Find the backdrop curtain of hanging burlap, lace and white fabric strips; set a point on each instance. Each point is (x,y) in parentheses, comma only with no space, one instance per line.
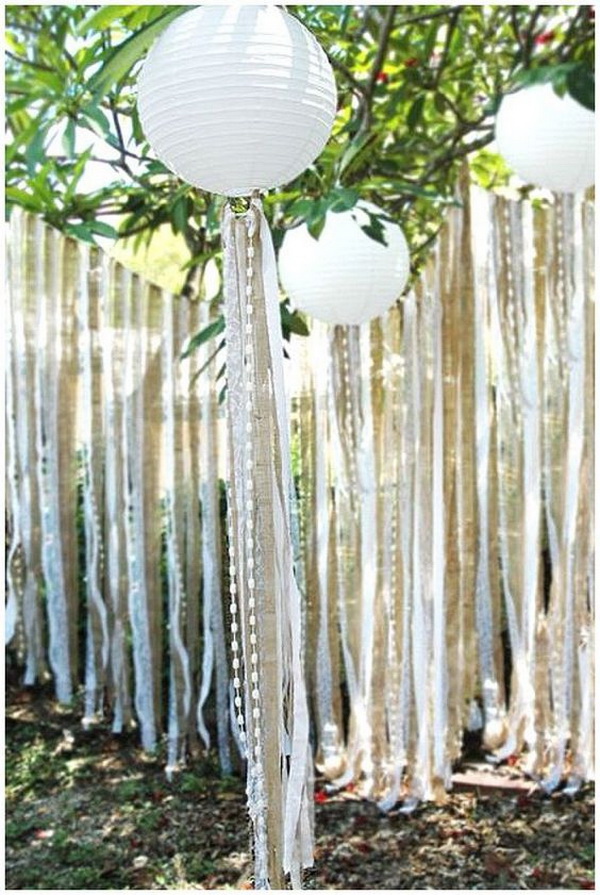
(443,530)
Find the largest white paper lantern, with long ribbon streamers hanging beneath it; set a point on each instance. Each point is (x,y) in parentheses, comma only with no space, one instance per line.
(237,98)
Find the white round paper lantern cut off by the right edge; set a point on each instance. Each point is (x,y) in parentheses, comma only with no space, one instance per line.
(548,140)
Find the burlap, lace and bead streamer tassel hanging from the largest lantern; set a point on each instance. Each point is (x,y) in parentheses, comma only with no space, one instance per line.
(276,710)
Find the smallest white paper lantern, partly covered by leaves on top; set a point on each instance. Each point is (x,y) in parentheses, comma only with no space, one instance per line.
(344,277)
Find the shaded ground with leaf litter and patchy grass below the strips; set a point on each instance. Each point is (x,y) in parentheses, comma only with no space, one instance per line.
(91,810)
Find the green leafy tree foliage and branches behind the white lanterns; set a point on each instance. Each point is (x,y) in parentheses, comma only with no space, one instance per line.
(418,87)
